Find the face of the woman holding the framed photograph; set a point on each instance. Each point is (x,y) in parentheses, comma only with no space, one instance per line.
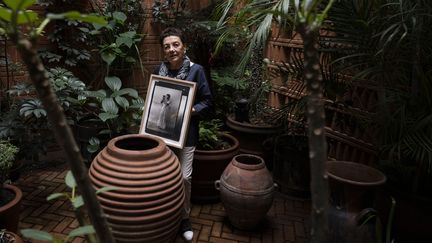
(174,51)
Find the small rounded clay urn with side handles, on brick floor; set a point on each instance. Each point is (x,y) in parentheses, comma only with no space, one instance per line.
(246,189)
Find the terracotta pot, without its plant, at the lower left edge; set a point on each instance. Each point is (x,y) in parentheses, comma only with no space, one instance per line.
(9,212)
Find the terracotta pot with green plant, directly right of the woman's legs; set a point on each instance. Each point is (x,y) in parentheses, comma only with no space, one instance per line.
(214,152)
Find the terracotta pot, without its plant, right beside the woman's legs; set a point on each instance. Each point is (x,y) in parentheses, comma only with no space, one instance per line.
(208,166)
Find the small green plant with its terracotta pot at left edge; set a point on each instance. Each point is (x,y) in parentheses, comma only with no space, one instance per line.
(10,195)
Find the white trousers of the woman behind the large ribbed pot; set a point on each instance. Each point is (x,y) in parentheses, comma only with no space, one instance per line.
(185,157)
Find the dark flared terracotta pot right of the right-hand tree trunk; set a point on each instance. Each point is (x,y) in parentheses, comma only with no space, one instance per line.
(353,192)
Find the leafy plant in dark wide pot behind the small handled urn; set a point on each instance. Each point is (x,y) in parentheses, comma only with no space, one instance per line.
(249,117)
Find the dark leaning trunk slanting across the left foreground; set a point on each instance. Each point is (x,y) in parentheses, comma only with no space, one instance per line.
(64,136)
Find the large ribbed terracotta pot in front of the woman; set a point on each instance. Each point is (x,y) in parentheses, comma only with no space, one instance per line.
(148,201)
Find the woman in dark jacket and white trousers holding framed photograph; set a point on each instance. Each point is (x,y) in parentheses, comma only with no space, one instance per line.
(178,65)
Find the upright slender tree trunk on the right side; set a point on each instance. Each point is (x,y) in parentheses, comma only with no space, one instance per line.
(317,143)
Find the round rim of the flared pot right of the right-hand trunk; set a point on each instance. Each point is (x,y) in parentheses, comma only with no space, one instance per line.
(370,176)
